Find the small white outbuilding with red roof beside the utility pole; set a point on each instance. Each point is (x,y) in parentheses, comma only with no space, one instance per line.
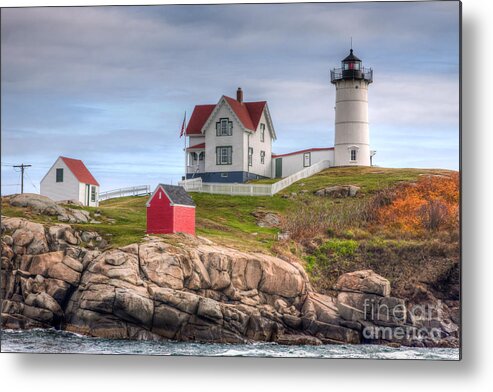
(69,179)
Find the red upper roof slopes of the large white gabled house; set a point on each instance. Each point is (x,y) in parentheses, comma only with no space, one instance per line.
(249,113)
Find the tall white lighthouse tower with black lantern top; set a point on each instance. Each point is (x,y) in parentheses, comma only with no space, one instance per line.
(352,135)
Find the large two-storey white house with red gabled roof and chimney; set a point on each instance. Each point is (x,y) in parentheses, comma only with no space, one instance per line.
(230,141)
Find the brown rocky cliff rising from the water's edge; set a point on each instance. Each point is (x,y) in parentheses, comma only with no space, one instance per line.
(189,289)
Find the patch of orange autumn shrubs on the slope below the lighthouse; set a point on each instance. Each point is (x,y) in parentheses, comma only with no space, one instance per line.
(432,203)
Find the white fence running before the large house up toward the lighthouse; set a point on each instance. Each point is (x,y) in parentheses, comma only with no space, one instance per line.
(196,184)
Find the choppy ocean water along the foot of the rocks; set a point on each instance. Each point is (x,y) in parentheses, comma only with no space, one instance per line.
(51,341)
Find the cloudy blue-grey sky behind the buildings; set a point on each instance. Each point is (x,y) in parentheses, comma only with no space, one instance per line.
(110,85)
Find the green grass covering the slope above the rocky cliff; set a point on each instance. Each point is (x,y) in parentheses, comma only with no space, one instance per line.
(229,220)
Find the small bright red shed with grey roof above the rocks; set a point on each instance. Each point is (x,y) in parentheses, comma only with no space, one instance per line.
(170,209)
